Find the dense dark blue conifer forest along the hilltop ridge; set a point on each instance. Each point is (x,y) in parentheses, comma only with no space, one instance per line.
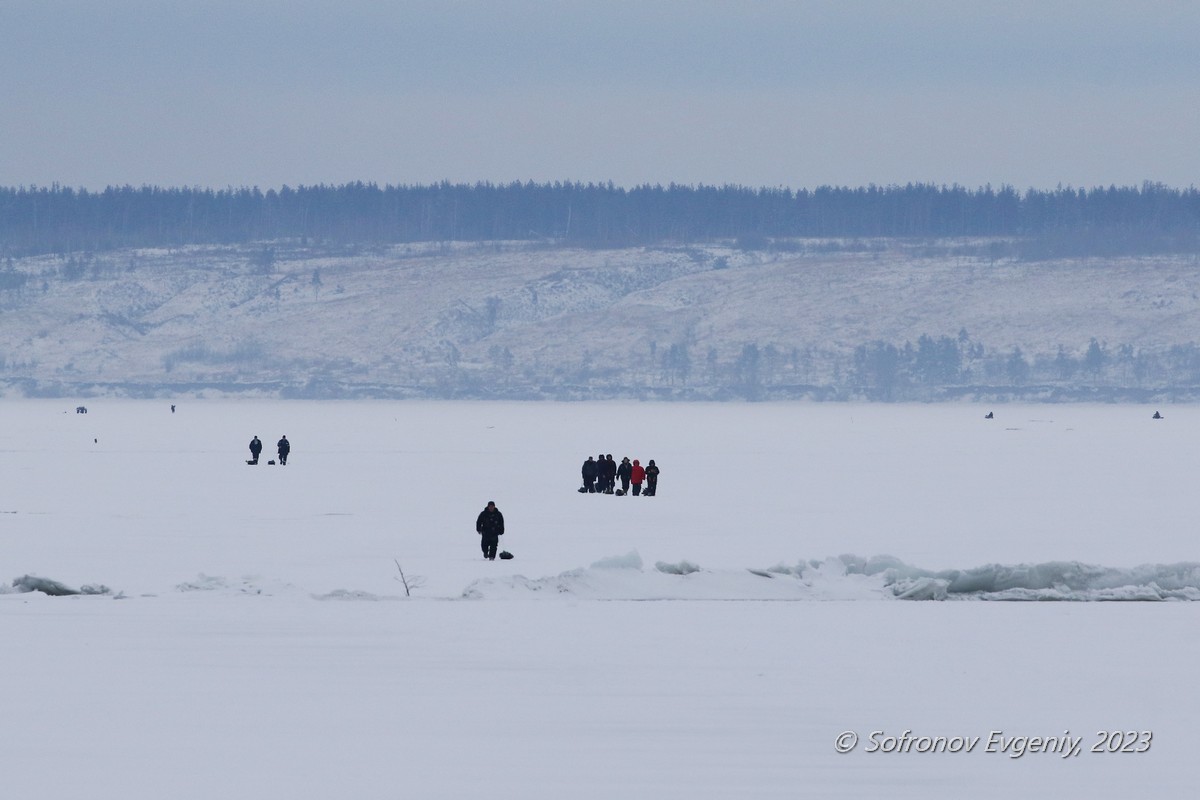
(1153,219)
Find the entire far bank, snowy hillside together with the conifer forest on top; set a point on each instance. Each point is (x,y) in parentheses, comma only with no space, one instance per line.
(537,285)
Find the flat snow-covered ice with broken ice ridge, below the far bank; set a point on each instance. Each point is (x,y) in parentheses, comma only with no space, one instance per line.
(806,573)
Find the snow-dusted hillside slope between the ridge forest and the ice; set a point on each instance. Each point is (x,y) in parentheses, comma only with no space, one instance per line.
(823,320)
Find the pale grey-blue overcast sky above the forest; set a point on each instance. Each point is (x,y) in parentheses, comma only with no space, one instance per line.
(800,94)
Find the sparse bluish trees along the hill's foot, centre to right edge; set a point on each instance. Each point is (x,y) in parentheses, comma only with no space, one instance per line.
(932,369)
